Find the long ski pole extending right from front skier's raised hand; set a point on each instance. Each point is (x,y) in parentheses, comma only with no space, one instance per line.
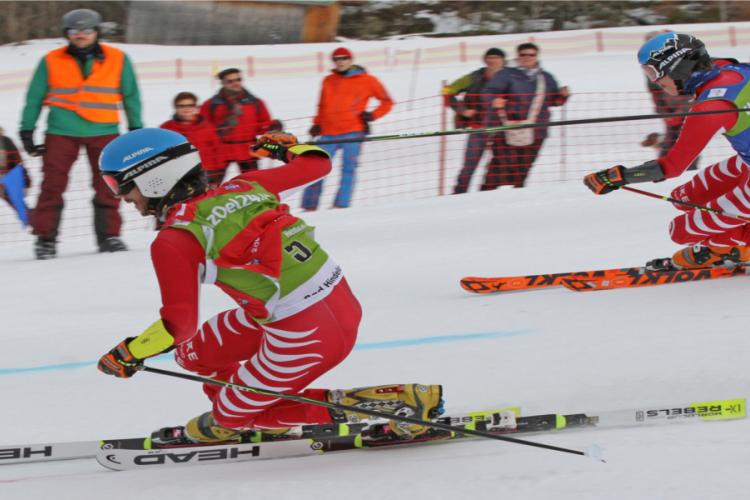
(437,133)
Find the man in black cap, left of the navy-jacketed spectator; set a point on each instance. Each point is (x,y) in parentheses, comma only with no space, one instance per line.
(470,111)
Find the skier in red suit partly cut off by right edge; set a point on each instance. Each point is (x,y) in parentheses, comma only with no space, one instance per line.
(680,64)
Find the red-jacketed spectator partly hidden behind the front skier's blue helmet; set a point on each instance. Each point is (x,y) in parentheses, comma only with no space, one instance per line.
(198,131)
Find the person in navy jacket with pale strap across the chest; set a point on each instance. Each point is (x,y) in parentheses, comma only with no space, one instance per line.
(523,96)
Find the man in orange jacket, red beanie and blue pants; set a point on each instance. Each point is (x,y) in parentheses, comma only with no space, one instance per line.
(343,114)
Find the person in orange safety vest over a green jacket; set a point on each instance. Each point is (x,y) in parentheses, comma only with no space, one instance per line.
(85,84)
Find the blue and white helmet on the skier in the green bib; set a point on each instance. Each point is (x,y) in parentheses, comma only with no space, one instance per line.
(154,159)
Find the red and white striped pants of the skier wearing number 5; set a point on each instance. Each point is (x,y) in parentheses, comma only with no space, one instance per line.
(283,356)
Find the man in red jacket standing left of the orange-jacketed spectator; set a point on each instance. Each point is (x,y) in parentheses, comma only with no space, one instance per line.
(239,118)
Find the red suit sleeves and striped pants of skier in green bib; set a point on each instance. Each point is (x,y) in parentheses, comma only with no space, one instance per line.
(284,355)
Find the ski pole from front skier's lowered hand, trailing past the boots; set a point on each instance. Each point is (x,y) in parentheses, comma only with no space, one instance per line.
(367,411)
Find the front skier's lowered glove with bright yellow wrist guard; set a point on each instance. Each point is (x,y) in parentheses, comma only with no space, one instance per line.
(127,357)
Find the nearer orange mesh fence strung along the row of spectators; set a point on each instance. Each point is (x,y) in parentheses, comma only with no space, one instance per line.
(402,170)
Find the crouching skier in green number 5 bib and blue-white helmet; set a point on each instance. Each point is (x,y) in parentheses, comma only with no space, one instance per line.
(296,317)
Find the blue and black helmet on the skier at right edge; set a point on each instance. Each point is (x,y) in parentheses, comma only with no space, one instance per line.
(676,55)
